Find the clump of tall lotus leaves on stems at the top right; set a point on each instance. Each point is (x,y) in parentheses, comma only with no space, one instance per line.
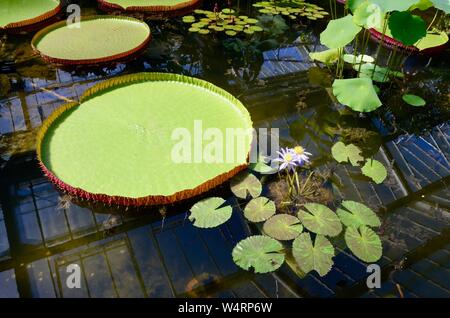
(392,19)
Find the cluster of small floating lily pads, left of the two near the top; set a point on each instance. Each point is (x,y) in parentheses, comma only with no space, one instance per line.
(224,21)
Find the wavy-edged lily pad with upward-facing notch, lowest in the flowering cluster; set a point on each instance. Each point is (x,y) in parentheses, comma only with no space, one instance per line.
(309,256)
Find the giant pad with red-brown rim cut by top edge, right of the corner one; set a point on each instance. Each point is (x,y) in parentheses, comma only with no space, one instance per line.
(166,7)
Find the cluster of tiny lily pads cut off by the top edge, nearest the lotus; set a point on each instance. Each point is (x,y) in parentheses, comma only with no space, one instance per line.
(292,9)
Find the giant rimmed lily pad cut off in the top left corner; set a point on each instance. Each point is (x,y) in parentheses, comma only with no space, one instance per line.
(16,14)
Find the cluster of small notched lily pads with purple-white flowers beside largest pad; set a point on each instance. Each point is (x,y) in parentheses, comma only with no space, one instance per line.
(310,227)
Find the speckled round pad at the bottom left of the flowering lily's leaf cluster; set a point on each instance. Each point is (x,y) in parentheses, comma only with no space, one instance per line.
(261,252)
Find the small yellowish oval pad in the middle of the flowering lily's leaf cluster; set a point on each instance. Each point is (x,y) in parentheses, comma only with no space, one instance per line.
(283,227)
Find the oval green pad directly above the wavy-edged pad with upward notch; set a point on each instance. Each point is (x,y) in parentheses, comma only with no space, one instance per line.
(319,219)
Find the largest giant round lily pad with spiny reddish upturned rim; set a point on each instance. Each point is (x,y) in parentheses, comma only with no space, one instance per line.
(131,140)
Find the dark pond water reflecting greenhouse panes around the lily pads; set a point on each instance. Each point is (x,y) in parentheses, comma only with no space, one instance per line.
(157,252)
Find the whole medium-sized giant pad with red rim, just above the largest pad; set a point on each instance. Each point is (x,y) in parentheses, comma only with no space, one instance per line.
(97,39)
